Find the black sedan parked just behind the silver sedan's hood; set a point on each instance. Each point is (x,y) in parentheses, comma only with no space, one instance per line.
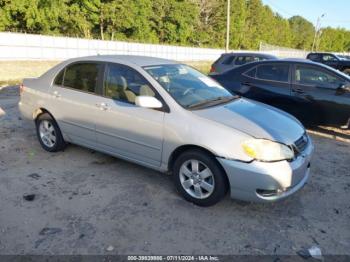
(314,93)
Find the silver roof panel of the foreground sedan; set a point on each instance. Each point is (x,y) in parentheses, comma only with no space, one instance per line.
(126,59)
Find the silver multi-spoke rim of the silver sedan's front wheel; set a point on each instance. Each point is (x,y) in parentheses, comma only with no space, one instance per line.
(197,179)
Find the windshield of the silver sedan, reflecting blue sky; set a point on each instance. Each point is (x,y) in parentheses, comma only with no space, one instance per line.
(190,88)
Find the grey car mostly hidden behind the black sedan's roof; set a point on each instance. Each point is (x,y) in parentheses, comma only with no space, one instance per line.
(229,61)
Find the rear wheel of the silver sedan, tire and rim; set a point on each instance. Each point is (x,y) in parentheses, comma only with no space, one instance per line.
(49,134)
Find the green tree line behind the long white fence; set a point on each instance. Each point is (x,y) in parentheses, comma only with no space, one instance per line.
(199,23)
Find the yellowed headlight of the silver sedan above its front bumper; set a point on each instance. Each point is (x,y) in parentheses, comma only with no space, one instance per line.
(266,150)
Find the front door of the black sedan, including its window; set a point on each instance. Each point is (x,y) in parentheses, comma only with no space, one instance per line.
(318,95)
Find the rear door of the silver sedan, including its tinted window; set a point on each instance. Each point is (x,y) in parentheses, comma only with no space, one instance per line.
(73,101)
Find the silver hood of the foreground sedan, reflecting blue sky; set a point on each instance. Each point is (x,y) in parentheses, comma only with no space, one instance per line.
(256,119)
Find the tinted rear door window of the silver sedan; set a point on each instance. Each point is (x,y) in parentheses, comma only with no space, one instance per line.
(82,76)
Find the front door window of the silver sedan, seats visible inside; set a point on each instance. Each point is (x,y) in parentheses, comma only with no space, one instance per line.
(125,84)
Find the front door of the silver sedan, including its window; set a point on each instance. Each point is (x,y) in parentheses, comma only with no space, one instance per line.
(122,128)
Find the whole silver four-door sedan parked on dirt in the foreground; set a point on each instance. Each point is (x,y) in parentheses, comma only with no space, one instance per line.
(170,117)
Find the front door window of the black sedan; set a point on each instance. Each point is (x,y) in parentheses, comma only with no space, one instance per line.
(311,76)
